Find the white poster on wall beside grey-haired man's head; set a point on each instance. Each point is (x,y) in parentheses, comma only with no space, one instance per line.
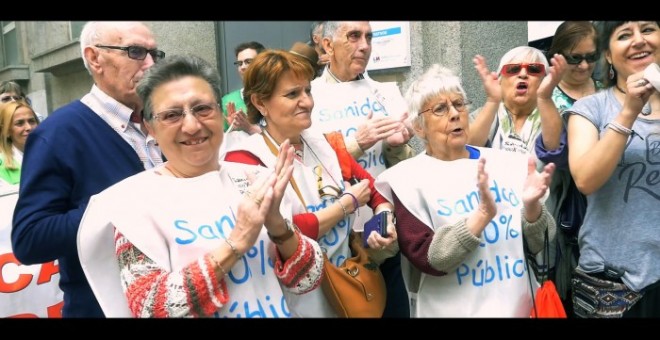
(390,45)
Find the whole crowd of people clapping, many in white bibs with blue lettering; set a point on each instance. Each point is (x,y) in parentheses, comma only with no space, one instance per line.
(231,205)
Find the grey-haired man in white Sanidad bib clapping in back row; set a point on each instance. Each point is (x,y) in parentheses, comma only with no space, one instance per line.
(377,138)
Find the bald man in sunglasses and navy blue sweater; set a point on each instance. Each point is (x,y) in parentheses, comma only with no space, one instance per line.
(81,149)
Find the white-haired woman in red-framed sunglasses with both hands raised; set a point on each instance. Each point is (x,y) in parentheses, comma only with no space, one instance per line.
(518,105)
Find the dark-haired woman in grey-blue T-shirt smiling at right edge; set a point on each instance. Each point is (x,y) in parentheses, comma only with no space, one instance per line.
(614,160)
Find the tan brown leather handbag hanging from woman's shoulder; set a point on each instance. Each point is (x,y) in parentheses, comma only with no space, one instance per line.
(356,289)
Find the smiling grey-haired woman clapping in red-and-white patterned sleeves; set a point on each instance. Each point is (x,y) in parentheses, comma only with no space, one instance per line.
(195,237)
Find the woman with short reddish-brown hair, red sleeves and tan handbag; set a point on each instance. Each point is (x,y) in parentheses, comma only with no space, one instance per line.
(279,91)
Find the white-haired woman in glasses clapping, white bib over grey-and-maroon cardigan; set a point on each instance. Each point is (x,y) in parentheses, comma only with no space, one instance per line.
(462,235)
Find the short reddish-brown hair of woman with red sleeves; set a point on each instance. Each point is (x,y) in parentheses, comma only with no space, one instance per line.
(265,70)
